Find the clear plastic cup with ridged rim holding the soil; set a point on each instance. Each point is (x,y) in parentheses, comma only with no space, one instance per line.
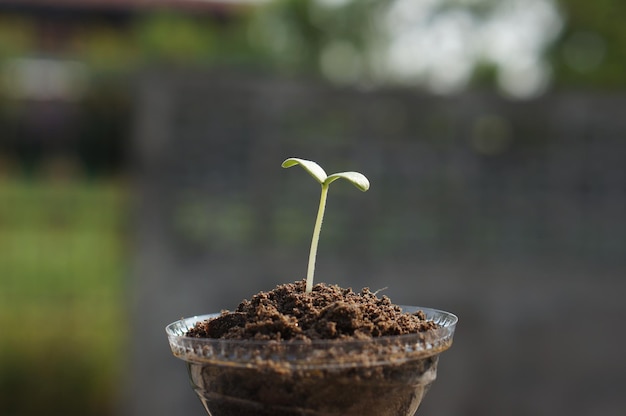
(385,376)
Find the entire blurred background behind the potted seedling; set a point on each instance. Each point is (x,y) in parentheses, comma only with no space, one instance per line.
(140,182)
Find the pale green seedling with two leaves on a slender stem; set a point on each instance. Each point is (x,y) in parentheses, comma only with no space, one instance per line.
(315,170)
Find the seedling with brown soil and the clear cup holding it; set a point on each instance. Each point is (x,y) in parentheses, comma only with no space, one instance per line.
(305,349)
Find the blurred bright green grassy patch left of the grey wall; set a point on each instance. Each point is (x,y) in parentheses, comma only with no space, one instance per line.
(63,285)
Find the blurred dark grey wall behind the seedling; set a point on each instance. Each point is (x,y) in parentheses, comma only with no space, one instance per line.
(511,214)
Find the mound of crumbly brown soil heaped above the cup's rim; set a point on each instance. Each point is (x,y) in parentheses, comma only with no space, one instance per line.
(328,312)
